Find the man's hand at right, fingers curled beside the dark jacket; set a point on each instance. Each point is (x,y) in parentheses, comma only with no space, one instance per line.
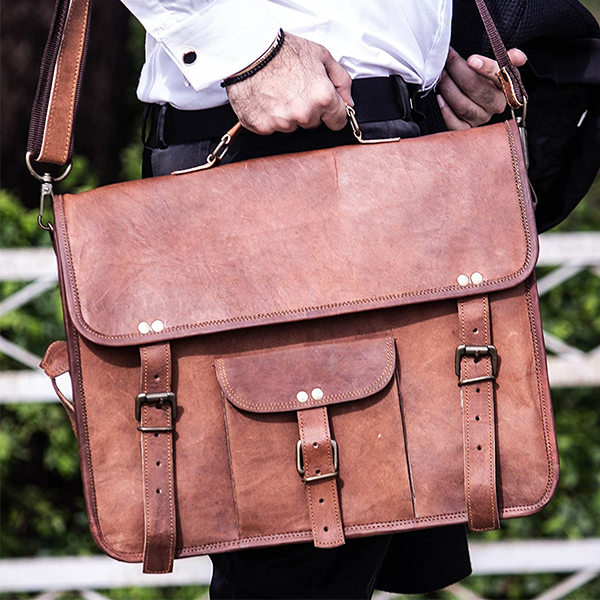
(469,92)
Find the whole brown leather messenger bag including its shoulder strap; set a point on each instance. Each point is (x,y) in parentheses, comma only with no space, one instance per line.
(315,346)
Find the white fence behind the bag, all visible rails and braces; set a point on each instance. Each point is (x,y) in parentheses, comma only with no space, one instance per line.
(569,367)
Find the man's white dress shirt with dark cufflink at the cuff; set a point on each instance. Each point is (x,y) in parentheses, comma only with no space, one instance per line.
(369,38)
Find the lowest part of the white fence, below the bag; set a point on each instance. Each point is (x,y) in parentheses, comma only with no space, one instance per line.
(580,558)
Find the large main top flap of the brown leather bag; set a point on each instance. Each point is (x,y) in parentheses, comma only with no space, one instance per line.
(298,236)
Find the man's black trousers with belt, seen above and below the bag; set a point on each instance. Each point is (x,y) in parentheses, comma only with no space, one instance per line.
(411,562)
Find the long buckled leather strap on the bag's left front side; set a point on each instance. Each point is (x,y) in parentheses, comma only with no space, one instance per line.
(158,460)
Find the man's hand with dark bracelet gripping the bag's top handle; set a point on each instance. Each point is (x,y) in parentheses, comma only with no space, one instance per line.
(301,87)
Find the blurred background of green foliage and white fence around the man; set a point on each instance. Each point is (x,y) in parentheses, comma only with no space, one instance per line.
(43,512)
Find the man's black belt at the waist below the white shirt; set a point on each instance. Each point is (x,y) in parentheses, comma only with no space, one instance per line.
(375,99)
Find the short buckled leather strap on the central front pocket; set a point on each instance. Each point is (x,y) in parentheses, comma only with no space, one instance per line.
(321,483)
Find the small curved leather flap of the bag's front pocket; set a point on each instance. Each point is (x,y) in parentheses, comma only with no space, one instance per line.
(299,377)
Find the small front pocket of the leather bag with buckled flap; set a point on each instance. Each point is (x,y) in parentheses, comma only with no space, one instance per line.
(316,425)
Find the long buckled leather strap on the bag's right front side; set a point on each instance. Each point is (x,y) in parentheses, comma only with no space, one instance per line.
(475,371)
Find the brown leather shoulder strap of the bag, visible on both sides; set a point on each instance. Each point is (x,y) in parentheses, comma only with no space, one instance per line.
(55,104)
